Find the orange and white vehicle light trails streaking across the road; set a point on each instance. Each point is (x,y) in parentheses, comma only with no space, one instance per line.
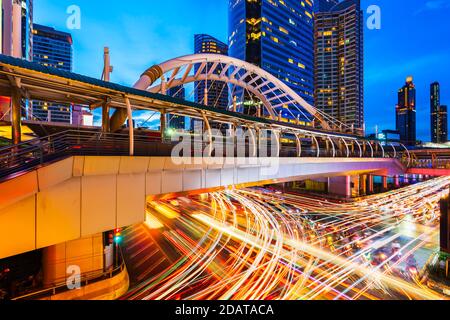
(255,244)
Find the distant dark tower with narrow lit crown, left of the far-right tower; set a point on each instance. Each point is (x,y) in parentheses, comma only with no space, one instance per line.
(406,112)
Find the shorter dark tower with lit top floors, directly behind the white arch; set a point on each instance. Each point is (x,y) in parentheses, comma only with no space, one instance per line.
(217,91)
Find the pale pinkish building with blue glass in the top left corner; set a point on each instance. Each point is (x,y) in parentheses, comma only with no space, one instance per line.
(16,28)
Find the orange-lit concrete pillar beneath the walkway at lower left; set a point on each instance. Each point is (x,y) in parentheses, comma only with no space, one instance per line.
(60,261)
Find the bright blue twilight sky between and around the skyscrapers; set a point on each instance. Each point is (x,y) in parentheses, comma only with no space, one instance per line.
(413,40)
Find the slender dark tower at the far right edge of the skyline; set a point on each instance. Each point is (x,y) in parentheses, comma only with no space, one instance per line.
(438,113)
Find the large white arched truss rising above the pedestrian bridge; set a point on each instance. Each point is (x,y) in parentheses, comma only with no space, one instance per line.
(239,76)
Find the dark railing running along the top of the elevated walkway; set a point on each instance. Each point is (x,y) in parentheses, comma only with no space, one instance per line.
(23,157)
